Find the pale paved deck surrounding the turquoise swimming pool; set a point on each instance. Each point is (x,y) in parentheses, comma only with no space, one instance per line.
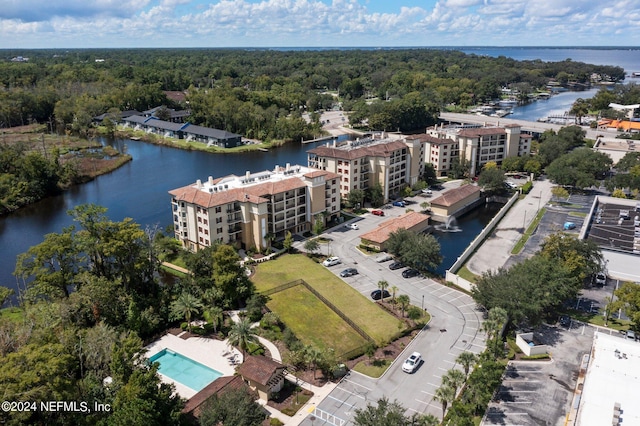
(210,352)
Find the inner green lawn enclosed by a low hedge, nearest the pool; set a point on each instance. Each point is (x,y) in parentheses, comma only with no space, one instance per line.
(313,322)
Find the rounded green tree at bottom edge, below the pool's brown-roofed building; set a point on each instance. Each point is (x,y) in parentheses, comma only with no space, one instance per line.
(232,408)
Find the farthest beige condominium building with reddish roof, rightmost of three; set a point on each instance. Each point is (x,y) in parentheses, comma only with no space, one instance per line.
(478,145)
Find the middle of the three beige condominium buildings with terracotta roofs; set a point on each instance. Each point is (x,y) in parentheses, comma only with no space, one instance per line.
(365,162)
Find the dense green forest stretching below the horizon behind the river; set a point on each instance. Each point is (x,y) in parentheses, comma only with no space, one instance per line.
(263,93)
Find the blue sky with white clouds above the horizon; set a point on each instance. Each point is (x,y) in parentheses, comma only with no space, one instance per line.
(317,23)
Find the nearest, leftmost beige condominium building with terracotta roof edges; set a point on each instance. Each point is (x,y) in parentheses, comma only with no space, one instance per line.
(249,211)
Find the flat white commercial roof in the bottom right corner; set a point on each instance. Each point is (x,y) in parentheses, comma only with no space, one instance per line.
(612,379)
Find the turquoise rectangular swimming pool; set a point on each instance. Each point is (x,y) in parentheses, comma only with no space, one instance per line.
(184,370)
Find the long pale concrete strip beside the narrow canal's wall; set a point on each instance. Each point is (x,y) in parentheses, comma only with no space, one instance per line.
(494,252)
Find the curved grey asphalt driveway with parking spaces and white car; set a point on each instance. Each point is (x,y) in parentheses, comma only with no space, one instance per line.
(454,328)
